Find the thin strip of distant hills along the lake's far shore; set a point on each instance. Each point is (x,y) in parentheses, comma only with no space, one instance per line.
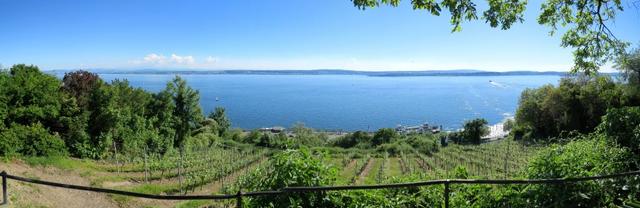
(460,72)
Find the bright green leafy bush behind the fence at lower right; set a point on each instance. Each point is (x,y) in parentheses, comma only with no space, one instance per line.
(589,156)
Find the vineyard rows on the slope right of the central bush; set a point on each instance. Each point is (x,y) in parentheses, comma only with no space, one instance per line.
(492,160)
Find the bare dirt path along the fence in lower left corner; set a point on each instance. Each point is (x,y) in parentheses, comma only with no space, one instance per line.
(32,195)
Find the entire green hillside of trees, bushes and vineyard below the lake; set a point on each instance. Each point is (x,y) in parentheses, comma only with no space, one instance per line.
(110,134)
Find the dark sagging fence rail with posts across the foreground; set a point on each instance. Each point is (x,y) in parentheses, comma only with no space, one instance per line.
(287,190)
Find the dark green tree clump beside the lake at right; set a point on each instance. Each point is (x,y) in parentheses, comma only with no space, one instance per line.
(577,104)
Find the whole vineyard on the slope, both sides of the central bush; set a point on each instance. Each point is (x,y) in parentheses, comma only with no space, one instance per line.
(219,169)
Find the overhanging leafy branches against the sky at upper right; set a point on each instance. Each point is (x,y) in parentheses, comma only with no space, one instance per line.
(593,43)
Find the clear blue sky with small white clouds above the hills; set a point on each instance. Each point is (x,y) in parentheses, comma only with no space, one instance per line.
(278,34)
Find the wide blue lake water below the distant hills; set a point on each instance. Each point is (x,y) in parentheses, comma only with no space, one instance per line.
(352,102)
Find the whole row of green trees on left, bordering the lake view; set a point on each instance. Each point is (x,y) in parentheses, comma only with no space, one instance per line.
(93,118)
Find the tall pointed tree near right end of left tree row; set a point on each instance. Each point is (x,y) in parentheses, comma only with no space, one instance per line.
(187,109)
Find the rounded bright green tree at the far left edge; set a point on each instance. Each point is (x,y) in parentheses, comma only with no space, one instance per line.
(31,107)
